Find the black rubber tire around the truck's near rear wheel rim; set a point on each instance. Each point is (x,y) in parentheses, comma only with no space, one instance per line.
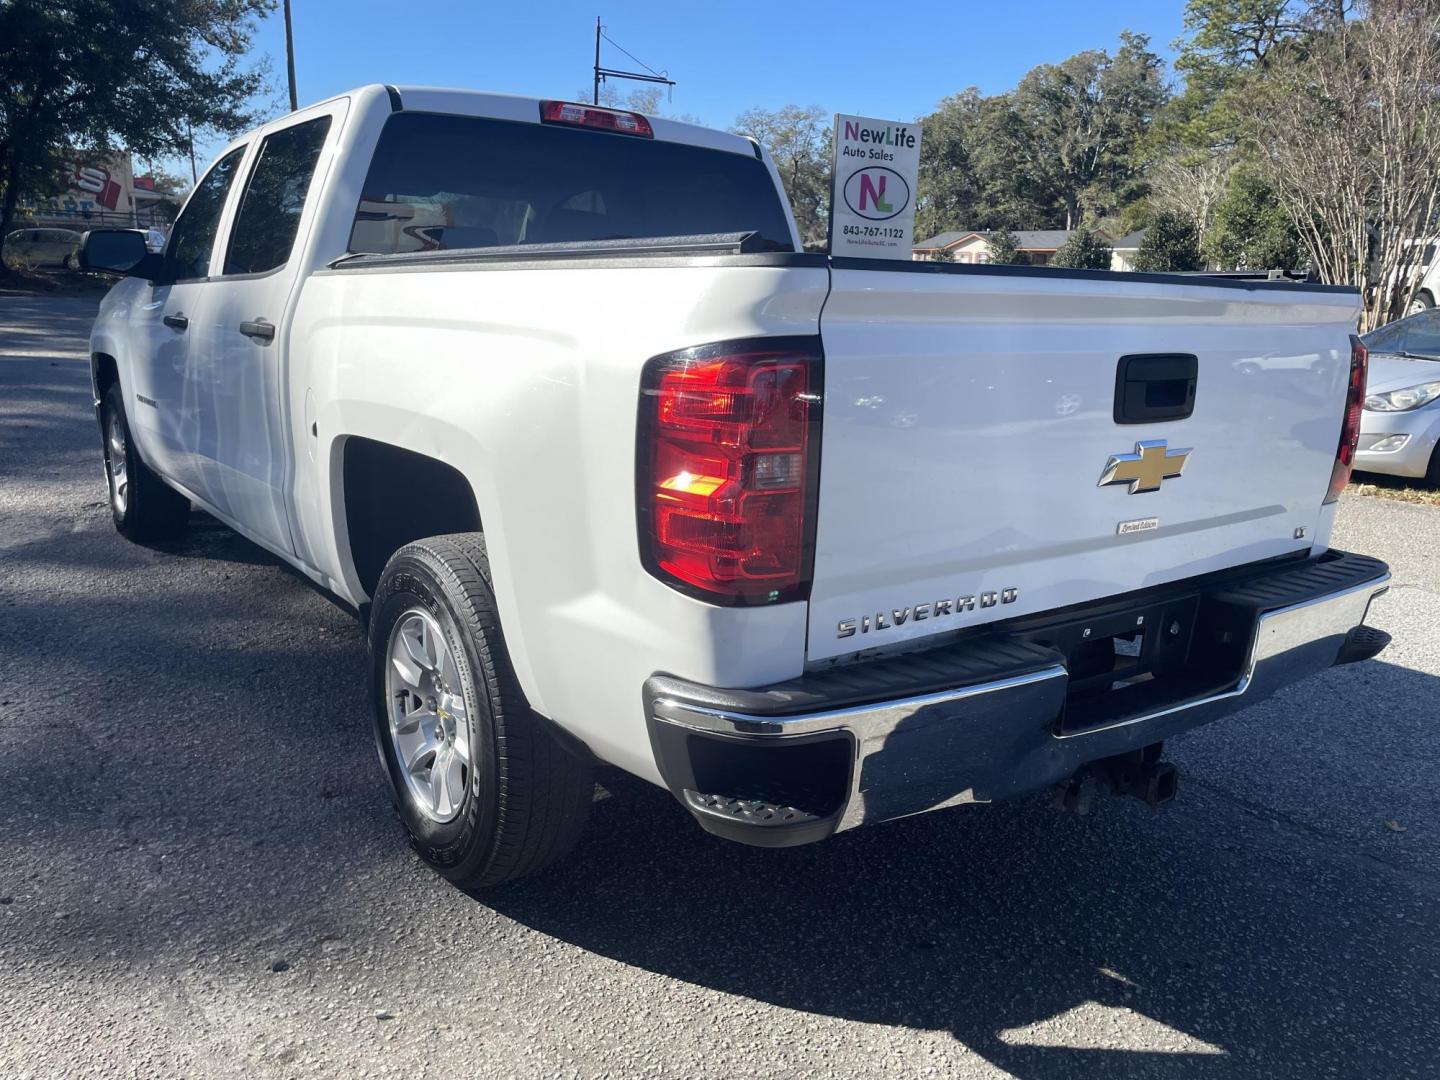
(526,796)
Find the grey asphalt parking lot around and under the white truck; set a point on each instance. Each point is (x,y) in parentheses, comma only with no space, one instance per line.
(201,873)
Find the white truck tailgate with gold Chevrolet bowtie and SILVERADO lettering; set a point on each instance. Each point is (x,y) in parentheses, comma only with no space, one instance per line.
(970,418)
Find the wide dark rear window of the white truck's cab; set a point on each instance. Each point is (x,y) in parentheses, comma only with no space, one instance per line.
(444,182)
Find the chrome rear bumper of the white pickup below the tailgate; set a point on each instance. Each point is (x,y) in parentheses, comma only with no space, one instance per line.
(978,741)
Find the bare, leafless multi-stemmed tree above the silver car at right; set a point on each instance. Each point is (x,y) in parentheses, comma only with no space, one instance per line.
(1349,125)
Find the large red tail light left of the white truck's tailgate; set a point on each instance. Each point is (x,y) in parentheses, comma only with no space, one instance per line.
(729,467)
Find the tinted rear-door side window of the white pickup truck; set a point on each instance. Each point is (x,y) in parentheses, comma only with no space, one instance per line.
(269,221)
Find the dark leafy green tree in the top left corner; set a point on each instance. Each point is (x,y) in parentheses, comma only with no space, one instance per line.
(93,77)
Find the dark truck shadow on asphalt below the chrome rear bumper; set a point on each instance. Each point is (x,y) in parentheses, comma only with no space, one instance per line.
(1254,953)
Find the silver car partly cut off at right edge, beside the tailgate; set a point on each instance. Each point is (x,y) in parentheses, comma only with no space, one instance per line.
(1402,421)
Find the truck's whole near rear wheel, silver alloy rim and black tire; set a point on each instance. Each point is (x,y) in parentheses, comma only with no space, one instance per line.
(485,788)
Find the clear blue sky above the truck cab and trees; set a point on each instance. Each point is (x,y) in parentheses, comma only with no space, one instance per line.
(725,57)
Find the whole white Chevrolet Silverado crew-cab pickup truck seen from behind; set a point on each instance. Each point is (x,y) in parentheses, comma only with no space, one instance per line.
(616,473)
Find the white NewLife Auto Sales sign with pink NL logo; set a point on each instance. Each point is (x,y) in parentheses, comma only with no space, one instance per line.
(872,208)
